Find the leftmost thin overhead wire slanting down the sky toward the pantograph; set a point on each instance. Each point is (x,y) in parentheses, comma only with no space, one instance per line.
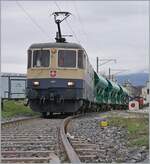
(32,19)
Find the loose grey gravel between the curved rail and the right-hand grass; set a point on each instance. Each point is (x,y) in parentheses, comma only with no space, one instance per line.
(112,141)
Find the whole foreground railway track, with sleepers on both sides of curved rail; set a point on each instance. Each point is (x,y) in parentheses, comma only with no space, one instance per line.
(44,140)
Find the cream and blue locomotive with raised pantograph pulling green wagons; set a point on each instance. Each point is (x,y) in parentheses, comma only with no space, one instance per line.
(60,78)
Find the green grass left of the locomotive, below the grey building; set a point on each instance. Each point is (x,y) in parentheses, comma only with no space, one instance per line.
(15,109)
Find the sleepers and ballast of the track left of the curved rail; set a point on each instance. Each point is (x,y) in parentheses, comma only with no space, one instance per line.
(33,140)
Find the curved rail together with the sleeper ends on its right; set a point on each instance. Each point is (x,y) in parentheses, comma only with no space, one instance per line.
(79,150)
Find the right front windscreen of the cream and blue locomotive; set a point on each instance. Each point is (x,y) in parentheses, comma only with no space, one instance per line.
(67,58)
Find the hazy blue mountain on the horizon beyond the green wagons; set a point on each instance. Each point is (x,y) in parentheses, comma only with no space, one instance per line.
(137,79)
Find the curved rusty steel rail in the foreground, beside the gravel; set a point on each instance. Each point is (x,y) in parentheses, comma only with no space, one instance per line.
(73,158)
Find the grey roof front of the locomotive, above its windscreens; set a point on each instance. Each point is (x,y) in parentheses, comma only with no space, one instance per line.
(56,45)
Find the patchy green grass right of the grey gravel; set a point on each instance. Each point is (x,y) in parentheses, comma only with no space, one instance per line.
(138,129)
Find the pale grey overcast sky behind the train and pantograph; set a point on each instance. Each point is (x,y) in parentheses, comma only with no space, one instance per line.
(109,30)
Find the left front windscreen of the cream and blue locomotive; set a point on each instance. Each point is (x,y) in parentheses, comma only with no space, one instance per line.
(41,58)
